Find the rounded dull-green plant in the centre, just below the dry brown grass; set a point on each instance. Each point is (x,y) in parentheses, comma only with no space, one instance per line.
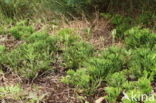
(76,54)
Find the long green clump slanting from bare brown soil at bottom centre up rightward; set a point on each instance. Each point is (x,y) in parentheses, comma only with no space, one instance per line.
(97,69)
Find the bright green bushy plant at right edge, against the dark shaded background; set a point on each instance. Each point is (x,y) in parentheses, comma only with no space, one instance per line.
(137,37)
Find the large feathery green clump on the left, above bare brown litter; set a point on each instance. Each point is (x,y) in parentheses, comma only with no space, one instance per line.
(32,57)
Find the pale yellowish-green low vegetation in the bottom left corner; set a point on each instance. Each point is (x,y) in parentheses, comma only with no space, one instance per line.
(16,93)
